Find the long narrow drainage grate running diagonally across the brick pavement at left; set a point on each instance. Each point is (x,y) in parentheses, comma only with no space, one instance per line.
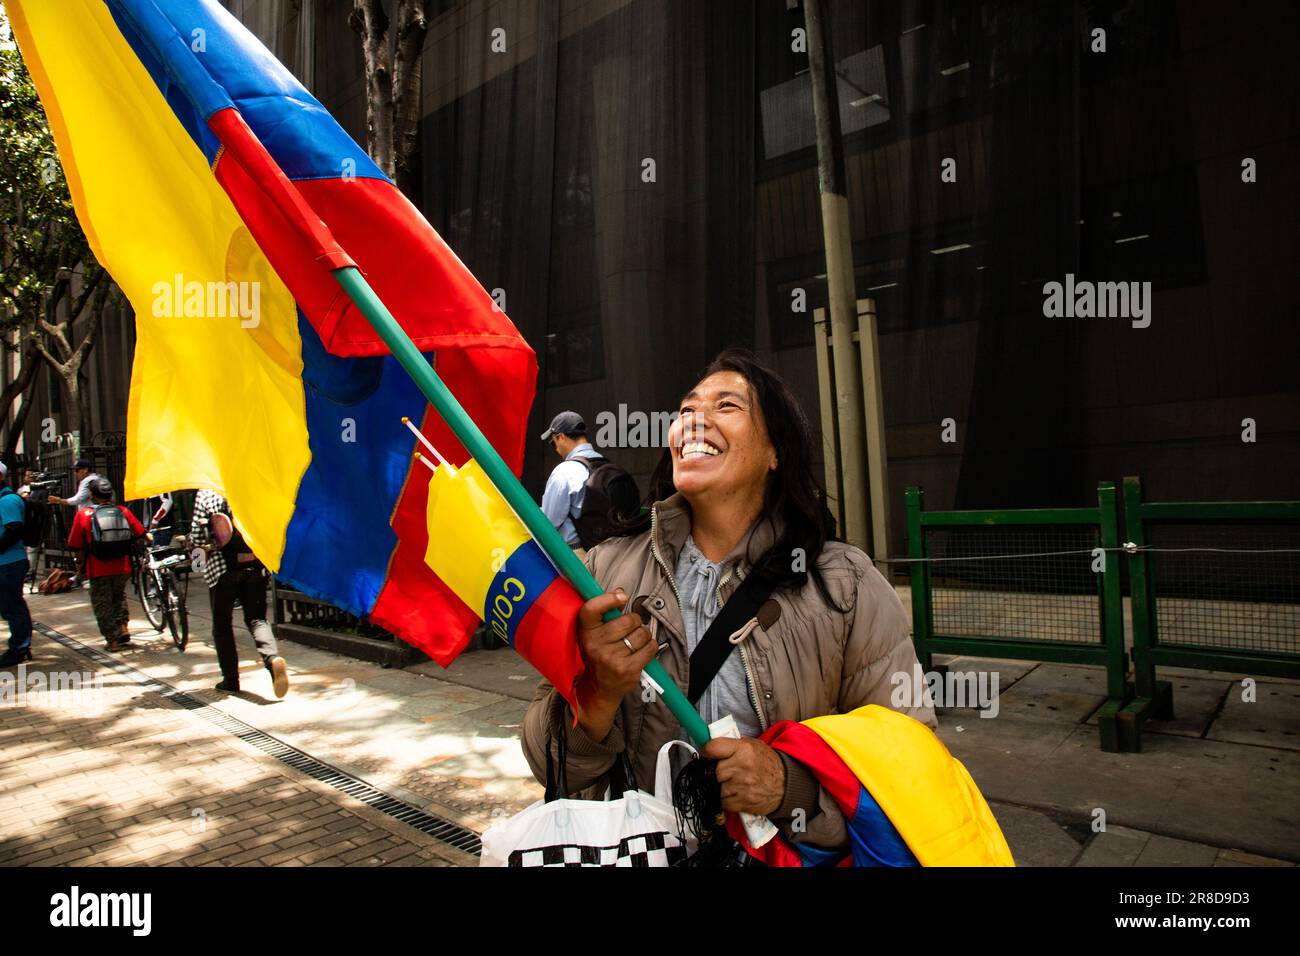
(376,799)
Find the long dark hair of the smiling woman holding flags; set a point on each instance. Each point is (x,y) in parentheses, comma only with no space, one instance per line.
(794,500)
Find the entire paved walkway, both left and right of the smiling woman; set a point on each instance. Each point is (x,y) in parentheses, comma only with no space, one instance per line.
(135,777)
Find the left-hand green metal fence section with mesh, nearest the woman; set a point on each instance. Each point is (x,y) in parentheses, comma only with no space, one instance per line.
(1039,585)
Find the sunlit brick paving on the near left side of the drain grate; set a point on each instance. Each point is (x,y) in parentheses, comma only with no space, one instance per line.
(110,772)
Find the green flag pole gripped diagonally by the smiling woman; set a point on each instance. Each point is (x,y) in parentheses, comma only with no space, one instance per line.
(538,524)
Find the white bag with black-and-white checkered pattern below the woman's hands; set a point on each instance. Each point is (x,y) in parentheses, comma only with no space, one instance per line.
(639,829)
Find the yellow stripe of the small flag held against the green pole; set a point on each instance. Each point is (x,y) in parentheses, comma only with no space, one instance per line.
(473,531)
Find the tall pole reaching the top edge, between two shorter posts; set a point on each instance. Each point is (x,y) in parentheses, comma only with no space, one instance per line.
(839,272)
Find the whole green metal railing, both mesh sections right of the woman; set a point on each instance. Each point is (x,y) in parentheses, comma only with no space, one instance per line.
(1215,586)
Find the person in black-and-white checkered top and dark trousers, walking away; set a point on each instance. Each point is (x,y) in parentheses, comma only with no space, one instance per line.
(233,573)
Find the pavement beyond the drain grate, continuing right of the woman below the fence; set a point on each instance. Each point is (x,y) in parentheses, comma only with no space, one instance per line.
(1219,786)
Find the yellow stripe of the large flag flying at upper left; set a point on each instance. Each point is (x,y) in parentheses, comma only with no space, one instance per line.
(216,403)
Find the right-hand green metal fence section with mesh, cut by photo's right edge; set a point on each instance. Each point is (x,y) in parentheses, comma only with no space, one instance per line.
(1215,586)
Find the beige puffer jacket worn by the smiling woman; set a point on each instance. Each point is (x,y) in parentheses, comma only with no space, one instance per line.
(809,661)
